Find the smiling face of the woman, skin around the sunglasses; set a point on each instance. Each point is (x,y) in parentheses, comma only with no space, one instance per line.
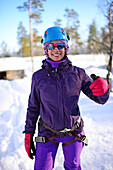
(56,54)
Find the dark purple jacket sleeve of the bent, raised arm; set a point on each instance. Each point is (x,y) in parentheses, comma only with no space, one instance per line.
(86,82)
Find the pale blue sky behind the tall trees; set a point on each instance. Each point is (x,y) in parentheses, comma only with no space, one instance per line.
(10,17)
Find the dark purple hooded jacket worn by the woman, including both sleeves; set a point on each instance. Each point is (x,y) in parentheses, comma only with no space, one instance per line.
(54,96)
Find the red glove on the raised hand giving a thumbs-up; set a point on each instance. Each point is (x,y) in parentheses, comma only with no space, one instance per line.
(99,87)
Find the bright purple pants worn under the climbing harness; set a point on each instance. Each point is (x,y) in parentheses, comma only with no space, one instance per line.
(46,152)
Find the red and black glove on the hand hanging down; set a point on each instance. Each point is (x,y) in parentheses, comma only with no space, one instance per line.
(29,145)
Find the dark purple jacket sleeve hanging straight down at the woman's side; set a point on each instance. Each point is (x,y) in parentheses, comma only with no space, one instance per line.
(33,108)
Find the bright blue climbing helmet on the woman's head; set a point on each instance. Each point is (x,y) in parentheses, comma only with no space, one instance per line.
(54,33)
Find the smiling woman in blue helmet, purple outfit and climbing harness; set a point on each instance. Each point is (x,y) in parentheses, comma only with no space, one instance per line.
(54,96)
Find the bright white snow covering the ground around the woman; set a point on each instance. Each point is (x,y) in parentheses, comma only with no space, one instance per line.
(13,104)
